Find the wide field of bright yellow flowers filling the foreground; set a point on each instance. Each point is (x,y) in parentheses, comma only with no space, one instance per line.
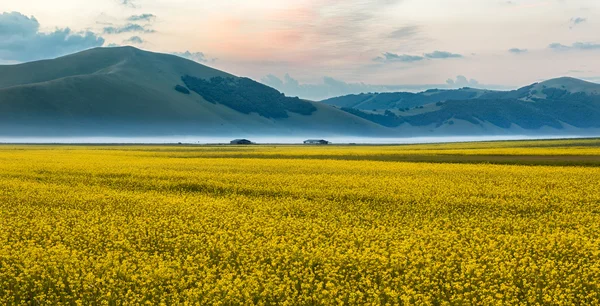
(292,225)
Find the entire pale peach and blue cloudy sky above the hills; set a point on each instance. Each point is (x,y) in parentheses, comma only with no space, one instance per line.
(322,48)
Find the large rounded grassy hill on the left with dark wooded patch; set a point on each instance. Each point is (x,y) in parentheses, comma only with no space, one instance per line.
(129,92)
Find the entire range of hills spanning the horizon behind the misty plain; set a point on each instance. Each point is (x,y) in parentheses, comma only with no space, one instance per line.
(129,92)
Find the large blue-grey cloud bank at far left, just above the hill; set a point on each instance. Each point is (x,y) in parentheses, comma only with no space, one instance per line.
(21,39)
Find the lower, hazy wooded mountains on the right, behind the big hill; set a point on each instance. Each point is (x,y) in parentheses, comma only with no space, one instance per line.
(557,106)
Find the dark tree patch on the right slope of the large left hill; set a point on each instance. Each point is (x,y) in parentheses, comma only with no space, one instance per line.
(248,96)
